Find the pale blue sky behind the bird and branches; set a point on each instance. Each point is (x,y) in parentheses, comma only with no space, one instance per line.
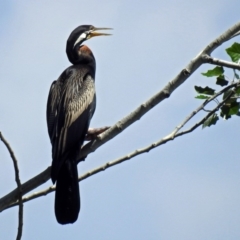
(188,189)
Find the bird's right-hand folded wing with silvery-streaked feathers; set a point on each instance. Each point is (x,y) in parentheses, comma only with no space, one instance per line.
(75,110)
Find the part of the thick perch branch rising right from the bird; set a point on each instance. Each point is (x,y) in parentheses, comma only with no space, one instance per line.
(160,96)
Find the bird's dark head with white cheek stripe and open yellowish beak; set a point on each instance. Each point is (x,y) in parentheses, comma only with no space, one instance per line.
(78,36)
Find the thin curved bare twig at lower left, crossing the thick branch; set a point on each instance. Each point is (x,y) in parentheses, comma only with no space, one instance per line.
(19,187)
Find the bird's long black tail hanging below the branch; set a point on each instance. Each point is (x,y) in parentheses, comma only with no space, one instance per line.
(67,198)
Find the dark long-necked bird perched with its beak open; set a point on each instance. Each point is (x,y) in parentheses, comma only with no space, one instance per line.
(70,106)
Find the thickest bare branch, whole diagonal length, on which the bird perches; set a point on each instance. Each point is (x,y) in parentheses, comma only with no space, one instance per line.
(90,147)
